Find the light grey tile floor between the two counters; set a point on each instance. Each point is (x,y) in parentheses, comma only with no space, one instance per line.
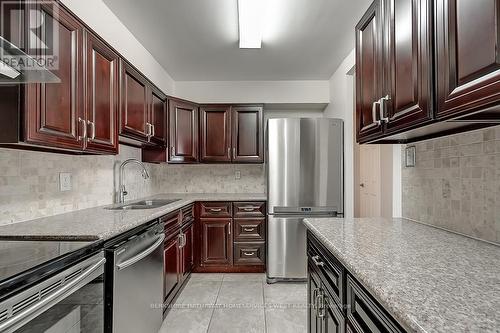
(238,303)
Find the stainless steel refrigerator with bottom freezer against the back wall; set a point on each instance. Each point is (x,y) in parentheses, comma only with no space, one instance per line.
(305,179)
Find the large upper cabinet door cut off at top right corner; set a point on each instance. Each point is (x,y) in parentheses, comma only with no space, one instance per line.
(468,55)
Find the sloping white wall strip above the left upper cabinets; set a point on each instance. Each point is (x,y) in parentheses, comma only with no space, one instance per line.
(105,23)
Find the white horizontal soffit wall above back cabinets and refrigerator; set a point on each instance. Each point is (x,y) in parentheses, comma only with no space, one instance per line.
(254,91)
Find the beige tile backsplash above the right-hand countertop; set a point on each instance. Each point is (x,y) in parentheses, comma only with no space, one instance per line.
(456,183)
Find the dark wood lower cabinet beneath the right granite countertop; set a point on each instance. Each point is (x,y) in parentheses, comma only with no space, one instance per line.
(354,311)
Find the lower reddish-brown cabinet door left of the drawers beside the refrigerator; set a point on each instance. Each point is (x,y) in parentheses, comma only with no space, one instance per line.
(217,243)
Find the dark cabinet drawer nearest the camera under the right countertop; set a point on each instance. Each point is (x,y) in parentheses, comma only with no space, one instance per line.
(363,312)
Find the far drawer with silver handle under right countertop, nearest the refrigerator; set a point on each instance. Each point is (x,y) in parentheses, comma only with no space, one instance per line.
(329,269)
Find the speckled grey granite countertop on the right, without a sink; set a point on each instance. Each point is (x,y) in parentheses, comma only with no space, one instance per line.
(429,279)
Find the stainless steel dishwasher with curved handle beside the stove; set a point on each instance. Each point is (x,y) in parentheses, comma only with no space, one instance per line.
(137,276)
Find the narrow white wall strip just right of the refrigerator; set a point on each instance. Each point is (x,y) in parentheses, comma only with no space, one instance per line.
(342,106)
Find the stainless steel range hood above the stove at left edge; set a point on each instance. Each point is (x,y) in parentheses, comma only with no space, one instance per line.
(18,67)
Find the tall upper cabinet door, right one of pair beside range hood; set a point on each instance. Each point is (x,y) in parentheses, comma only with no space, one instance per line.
(101,103)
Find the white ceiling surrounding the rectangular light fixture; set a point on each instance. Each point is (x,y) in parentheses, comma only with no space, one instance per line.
(197,40)
